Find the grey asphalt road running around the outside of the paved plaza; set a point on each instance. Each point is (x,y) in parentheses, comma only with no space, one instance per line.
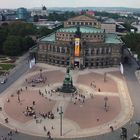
(134,89)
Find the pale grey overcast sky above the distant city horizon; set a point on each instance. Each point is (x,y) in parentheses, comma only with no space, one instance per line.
(69,3)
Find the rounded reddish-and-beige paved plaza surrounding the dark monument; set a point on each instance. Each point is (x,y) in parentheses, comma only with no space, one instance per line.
(32,104)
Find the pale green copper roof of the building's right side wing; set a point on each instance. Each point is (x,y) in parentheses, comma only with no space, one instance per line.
(112,38)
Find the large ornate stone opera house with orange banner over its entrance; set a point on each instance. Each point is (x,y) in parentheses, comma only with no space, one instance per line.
(82,44)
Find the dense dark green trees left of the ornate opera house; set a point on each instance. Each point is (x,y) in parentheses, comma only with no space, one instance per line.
(16,38)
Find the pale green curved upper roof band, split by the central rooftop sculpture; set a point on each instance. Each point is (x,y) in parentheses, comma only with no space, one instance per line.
(83,29)
